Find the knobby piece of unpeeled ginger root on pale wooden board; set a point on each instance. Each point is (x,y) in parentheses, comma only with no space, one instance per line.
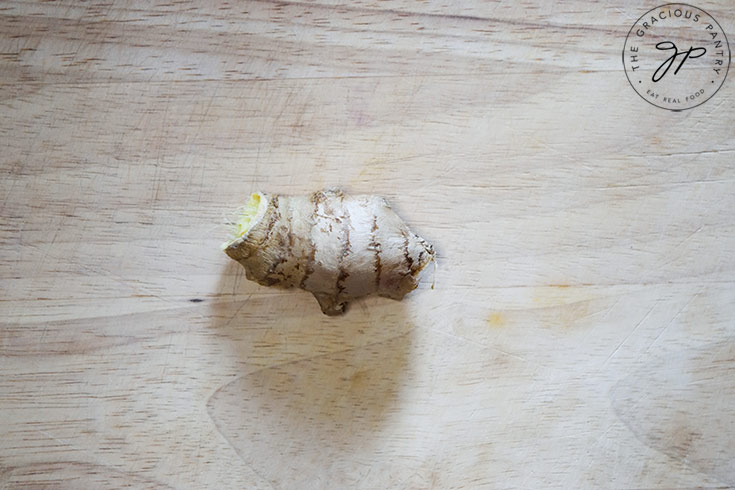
(337,247)
